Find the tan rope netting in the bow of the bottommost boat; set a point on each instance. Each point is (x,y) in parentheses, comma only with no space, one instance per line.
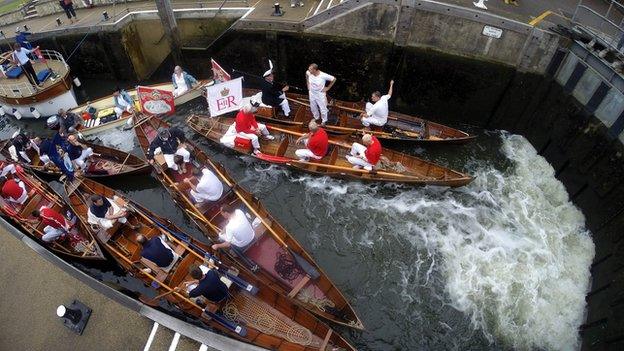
(244,308)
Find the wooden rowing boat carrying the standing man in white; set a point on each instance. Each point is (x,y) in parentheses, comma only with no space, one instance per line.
(345,119)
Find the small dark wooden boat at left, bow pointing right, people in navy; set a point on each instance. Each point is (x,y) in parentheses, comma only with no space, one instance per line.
(106,162)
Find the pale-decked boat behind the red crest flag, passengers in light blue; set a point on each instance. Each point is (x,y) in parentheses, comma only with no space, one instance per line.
(106,118)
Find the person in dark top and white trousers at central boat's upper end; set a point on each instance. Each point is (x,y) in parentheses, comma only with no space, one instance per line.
(169,142)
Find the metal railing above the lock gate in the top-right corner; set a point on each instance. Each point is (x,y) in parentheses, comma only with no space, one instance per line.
(607,26)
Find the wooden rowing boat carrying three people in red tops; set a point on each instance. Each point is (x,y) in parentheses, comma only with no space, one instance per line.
(396,167)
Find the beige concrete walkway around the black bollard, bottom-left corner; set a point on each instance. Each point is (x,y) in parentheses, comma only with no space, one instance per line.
(32,288)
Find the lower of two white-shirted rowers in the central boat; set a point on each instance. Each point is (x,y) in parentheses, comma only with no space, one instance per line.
(238,232)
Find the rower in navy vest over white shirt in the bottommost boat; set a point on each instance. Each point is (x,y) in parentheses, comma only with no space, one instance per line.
(106,212)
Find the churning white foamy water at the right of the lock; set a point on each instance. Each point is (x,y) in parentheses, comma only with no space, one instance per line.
(511,251)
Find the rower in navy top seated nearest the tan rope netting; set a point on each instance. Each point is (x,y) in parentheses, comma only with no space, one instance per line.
(206,283)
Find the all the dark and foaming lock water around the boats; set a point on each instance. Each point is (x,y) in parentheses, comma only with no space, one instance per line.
(502,263)
